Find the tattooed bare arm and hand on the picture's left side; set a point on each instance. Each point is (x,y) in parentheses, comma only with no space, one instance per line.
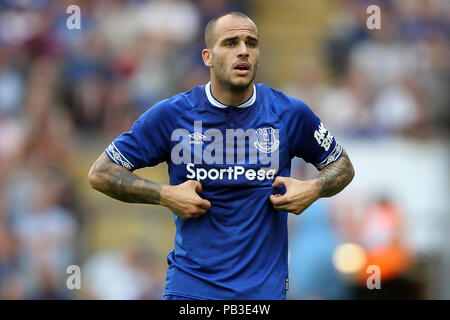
(119,183)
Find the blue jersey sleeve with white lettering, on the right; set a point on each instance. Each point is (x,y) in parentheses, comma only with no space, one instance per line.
(309,138)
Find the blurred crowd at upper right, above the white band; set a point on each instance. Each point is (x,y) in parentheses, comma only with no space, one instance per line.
(391,81)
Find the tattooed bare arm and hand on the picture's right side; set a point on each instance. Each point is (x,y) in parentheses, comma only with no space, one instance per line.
(301,194)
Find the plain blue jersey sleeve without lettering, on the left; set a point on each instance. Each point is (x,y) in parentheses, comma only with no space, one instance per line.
(147,143)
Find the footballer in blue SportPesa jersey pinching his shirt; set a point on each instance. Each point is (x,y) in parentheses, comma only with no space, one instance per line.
(228,145)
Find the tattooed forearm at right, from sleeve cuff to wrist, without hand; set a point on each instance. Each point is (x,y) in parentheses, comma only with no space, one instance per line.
(335,177)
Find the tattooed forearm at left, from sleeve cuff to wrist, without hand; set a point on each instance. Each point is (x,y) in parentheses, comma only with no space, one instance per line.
(121,184)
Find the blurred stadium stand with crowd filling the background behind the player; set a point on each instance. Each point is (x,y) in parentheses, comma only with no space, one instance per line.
(65,94)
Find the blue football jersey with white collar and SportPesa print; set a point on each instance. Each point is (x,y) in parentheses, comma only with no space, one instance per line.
(239,248)
